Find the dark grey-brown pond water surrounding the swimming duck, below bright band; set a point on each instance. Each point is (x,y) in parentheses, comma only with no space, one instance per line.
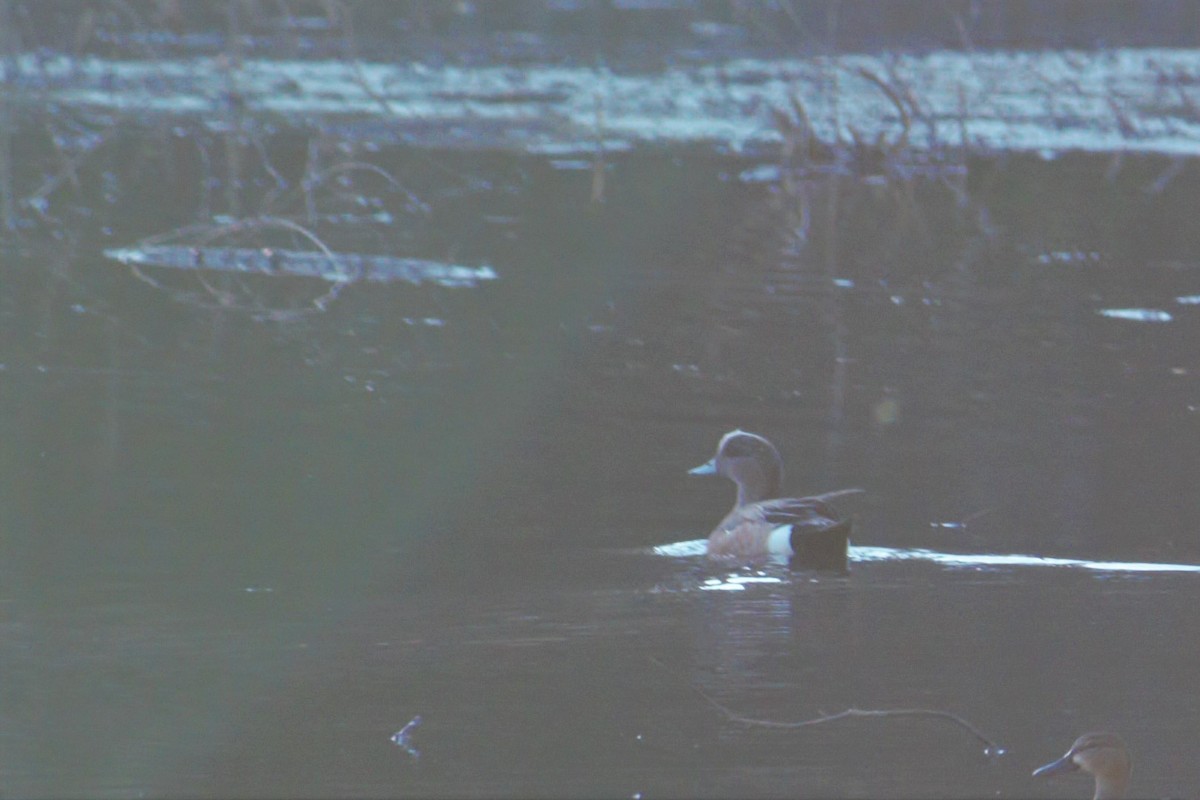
(239,555)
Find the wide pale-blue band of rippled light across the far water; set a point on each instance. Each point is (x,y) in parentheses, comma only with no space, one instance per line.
(681,105)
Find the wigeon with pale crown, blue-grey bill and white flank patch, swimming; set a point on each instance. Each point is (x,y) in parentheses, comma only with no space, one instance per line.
(806,531)
